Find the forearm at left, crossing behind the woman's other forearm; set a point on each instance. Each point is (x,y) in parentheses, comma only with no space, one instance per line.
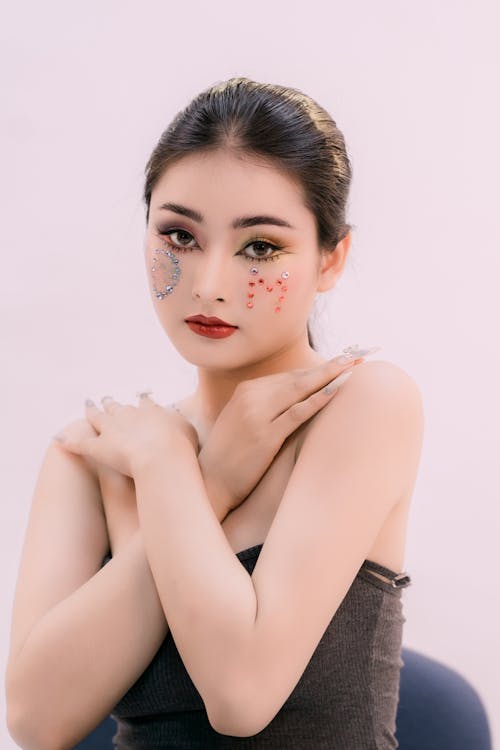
(86,652)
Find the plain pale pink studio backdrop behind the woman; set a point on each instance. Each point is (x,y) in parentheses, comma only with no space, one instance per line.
(88,88)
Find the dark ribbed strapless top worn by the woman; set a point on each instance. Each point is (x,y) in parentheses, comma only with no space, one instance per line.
(346,699)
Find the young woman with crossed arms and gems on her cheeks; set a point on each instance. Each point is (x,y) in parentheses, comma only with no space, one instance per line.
(256,529)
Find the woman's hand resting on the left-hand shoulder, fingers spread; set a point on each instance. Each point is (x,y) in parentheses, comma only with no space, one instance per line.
(125,432)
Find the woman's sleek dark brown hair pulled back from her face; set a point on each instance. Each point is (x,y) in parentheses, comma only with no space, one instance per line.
(278,123)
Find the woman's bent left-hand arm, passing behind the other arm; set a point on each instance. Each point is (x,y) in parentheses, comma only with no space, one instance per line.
(80,635)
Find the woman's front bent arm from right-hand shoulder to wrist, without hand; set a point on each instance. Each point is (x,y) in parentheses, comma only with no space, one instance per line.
(243,641)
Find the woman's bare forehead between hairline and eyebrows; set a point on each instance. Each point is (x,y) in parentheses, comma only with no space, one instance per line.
(223,183)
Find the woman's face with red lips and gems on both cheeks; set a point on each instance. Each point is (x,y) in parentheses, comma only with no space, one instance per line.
(259,275)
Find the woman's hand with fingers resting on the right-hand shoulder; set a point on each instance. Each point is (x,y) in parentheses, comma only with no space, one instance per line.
(263,412)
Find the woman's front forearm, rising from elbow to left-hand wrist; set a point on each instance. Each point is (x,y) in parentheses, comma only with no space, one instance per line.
(206,594)
